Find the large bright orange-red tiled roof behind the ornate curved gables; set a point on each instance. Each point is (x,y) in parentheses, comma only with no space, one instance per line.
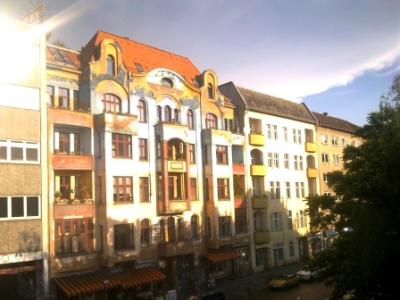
(138,57)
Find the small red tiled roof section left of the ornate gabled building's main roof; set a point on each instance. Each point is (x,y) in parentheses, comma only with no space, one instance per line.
(63,57)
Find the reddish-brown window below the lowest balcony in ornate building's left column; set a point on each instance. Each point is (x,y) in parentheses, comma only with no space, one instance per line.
(73,236)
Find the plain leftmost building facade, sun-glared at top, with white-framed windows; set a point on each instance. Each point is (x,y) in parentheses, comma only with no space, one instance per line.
(23,189)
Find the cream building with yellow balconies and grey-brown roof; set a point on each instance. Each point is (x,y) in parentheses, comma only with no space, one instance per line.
(281,170)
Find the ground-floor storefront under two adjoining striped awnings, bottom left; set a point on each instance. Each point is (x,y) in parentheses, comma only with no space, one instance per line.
(144,283)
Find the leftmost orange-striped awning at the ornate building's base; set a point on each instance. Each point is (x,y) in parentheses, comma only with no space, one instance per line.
(85,284)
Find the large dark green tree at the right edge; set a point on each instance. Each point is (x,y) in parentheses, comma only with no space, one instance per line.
(365,256)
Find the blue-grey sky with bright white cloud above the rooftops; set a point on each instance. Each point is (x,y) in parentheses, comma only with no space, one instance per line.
(337,56)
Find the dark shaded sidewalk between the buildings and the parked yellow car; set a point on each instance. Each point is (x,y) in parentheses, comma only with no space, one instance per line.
(240,288)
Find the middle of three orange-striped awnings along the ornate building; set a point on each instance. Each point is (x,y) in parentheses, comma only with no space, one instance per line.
(135,277)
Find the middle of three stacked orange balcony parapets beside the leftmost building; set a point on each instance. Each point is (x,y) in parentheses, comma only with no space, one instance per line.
(72,162)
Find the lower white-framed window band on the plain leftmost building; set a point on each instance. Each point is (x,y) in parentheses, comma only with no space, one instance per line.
(19,207)
